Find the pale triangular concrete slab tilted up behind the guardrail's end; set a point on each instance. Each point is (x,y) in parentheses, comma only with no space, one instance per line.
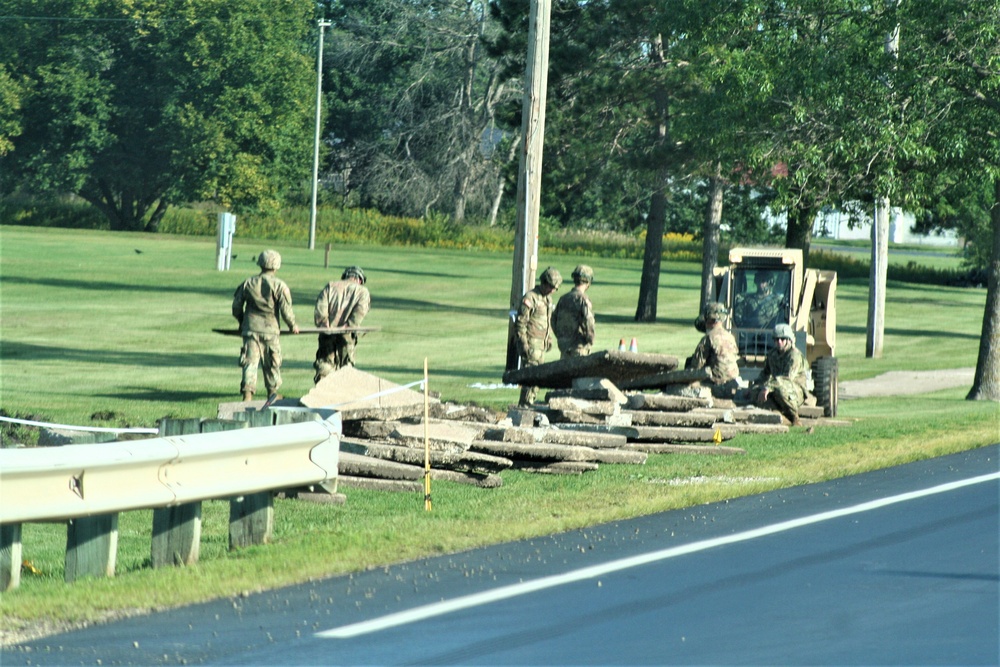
(359,395)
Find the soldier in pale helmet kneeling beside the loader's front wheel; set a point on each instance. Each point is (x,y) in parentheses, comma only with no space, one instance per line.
(782,382)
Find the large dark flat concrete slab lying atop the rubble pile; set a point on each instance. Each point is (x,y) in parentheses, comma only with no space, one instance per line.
(614,365)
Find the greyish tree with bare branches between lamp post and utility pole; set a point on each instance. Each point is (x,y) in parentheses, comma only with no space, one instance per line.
(412,98)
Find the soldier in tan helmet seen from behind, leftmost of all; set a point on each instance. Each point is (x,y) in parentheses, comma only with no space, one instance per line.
(257,304)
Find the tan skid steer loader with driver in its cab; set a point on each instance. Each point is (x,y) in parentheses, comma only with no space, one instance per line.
(763,287)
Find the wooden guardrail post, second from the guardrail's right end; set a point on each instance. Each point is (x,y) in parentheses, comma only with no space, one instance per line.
(177,529)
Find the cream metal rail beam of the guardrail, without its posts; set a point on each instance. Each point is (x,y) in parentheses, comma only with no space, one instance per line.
(60,483)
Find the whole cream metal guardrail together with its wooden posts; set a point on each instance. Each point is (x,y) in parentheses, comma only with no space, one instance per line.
(88,485)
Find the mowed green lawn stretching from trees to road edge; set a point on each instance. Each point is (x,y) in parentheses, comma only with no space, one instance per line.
(94,333)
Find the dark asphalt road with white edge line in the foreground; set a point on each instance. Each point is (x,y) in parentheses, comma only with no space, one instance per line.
(894,567)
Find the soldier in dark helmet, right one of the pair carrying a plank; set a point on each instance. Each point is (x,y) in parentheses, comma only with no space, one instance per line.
(342,303)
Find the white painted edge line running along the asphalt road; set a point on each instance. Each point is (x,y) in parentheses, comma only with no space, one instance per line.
(505,592)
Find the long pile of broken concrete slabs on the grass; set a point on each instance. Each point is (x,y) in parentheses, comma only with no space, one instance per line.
(584,422)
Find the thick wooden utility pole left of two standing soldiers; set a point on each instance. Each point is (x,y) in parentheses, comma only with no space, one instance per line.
(529,176)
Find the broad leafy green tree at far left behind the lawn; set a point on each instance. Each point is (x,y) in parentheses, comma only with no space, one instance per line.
(136,106)
